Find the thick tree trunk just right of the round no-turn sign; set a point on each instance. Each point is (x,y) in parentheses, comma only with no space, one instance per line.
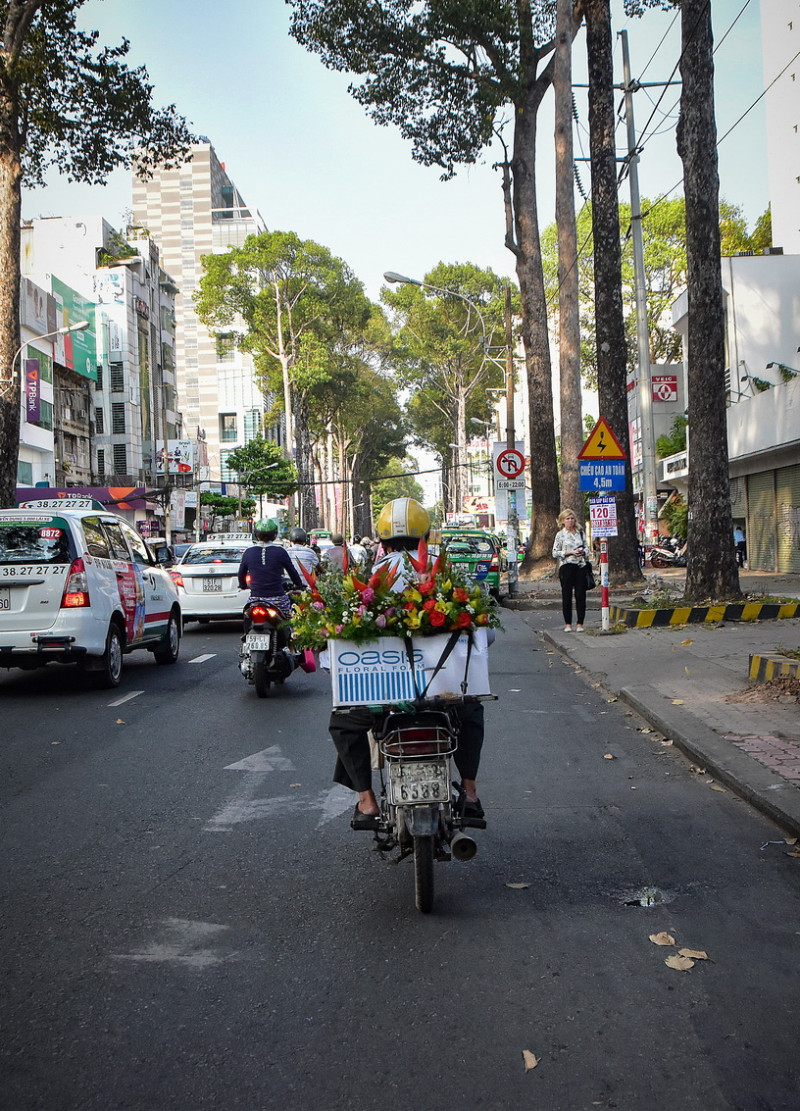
(545,483)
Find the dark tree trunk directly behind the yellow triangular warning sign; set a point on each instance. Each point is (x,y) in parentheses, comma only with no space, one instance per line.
(612,346)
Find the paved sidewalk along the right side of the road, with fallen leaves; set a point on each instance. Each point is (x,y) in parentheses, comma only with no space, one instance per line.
(692,684)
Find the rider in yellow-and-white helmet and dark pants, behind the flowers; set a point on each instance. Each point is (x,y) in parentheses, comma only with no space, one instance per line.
(402,525)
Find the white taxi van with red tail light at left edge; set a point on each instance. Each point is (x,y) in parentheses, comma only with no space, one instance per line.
(78,585)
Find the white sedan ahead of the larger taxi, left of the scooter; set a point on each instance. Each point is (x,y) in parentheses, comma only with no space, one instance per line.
(208,584)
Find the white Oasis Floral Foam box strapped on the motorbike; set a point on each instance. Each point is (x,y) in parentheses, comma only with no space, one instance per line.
(379,670)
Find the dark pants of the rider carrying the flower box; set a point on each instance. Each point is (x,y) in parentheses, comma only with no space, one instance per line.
(349,734)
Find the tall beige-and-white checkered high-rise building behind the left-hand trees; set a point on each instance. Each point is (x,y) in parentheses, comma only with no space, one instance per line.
(192,212)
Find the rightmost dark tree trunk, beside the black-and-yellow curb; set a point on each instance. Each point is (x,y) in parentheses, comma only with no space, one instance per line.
(712,569)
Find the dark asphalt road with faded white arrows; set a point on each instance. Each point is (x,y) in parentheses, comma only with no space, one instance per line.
(188,922)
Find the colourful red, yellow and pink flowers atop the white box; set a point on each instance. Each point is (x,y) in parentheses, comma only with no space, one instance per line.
(436,600)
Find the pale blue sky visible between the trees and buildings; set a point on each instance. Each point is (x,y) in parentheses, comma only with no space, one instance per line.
(309,159)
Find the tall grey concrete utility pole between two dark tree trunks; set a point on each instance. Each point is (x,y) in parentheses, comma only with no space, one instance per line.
(649,487)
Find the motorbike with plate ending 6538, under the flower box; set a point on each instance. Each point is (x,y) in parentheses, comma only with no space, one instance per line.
(422,807)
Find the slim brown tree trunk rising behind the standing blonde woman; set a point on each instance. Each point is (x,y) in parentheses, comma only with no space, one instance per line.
(569,317)
